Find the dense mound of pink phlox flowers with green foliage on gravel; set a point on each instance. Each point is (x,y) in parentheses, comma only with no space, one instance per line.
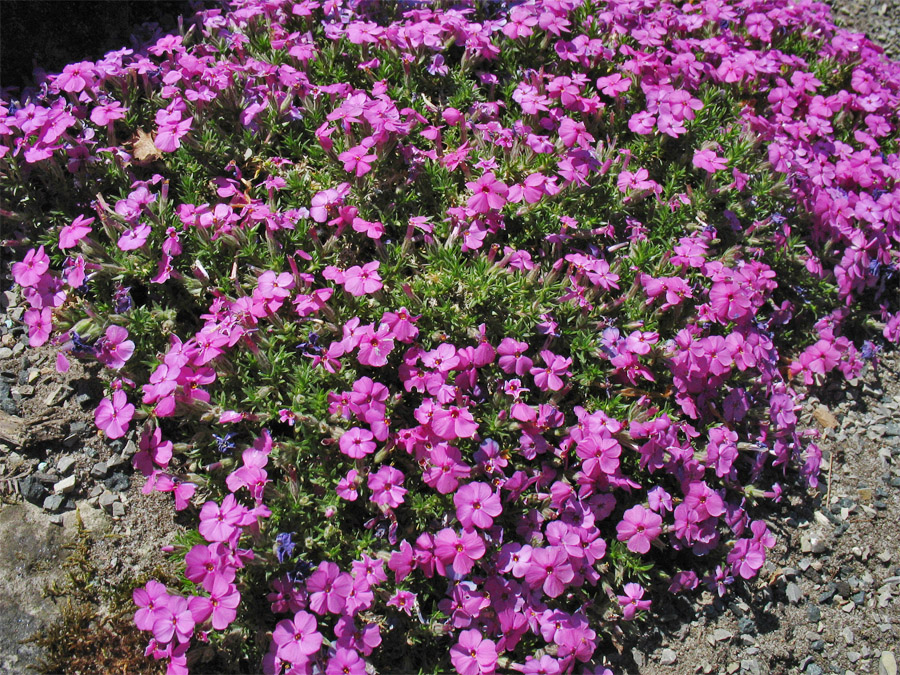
(466,334)
